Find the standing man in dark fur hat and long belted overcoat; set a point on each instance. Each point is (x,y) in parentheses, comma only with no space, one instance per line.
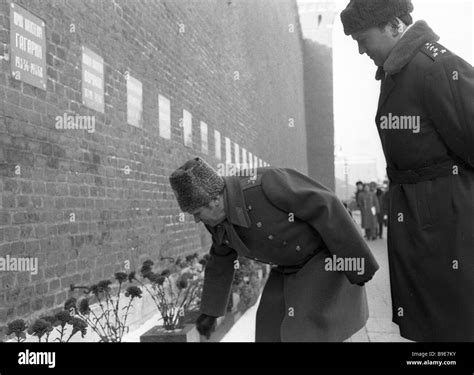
(425,120)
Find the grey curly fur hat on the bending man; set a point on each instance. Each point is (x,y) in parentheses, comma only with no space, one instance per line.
(195,184)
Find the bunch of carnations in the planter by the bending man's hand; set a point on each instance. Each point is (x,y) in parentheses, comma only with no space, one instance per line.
(175,290)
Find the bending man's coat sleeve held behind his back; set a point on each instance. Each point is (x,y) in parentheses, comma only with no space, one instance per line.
(313,203)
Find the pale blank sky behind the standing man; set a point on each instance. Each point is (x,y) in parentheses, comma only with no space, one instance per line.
(355,89)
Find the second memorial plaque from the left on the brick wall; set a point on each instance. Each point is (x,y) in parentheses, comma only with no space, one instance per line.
(92,80)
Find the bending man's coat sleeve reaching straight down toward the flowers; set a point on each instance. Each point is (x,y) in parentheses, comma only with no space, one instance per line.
(218,277)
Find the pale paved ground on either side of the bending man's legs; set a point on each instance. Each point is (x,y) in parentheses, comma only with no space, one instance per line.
(379,328)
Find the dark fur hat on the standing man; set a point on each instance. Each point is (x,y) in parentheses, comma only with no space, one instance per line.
(360,15)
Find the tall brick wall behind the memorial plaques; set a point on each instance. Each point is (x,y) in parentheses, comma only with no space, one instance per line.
(49,174)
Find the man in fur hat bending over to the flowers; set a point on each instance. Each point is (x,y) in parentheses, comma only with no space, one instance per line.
(281,217)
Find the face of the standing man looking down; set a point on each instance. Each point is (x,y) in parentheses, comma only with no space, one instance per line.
(377,43)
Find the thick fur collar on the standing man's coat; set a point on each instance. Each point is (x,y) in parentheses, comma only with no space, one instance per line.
(407,47)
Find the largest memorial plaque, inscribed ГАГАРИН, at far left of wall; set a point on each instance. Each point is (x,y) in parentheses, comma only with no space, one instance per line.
(28,47)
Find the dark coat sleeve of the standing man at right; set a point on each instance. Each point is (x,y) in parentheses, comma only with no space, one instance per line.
(449,98)
